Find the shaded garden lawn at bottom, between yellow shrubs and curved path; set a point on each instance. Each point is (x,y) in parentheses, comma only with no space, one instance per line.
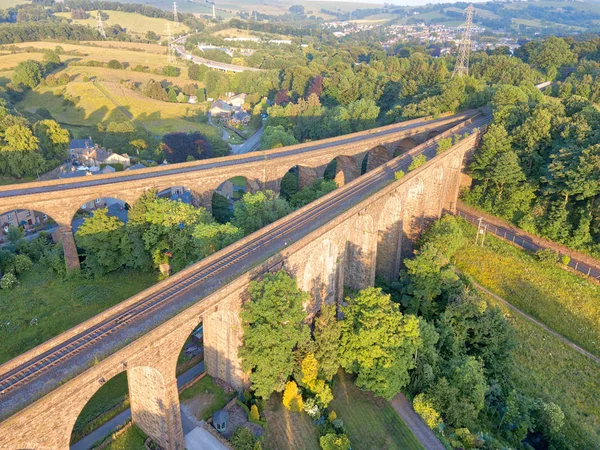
(370,421)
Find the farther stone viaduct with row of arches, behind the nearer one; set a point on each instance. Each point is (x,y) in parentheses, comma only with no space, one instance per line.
(60,199)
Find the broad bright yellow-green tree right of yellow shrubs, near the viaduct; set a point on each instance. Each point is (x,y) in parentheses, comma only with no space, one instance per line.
(378,342)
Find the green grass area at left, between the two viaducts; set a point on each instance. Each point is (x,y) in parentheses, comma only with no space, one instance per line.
(46,305)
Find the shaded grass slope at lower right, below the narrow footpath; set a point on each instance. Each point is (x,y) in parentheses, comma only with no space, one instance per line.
(545,367)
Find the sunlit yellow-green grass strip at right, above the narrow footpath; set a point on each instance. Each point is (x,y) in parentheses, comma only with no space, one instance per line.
(563,300)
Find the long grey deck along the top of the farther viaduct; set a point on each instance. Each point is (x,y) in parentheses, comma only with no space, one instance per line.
(206,164)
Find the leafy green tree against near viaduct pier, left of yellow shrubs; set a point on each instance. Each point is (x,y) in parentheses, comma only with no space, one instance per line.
(273,324)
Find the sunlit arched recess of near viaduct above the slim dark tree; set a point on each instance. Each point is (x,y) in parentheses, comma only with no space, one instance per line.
(322,275)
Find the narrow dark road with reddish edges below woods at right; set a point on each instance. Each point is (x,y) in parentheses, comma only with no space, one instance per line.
(523,240)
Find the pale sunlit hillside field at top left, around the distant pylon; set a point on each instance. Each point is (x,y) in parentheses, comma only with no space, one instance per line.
(135,24)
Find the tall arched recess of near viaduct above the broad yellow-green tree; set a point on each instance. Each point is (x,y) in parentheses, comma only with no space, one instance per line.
(360,253)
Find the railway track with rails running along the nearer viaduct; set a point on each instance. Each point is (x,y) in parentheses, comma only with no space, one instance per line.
(70,348)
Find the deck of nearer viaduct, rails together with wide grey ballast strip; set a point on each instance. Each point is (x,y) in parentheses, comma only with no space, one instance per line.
(68,358)
